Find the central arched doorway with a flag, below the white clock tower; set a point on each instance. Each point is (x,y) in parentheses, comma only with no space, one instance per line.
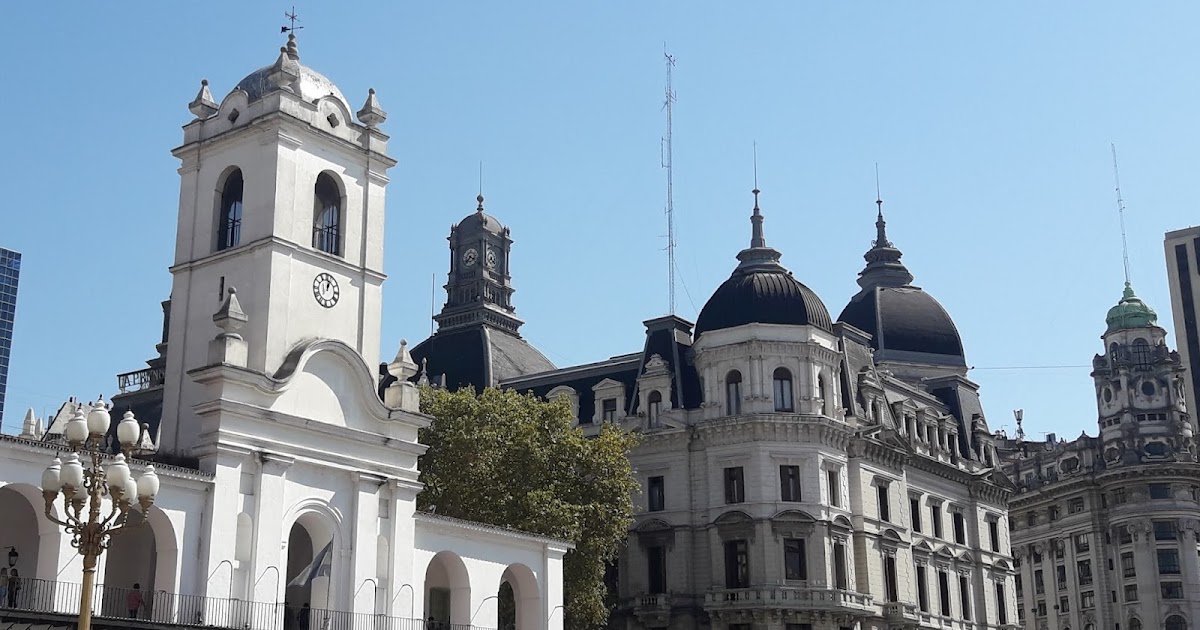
(309,571)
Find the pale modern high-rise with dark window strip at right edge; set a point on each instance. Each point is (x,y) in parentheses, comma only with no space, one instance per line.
(1184,278)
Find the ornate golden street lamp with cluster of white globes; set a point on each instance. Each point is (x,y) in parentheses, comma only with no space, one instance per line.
(87,488)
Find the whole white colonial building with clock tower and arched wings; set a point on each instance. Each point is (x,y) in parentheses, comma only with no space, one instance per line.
(275,441)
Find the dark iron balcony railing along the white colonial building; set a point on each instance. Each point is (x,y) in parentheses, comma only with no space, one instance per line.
(43,602)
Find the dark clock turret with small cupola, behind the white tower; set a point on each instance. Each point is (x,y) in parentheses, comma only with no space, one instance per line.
(479,289)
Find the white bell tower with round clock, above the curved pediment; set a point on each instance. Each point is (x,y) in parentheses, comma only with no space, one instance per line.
(283,197)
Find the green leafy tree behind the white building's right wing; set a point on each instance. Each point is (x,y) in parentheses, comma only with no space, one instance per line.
(514,460)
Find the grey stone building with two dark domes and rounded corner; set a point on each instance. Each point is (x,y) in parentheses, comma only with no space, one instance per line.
(802,472)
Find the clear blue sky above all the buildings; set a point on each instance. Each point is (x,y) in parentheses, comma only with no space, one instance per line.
(991,124)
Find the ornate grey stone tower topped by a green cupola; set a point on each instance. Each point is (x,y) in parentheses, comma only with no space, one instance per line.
(1139,389)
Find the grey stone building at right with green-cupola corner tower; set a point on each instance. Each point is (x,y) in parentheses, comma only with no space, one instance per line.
(1106,529)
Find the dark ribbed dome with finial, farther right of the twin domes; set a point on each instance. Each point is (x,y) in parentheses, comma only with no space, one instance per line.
(905,323)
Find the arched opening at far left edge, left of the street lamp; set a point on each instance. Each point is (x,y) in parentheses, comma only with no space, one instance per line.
(34,538)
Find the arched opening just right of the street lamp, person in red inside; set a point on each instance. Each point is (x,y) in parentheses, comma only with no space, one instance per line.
(131,565)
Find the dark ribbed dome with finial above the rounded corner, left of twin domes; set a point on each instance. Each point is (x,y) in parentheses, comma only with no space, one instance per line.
(761,291)
